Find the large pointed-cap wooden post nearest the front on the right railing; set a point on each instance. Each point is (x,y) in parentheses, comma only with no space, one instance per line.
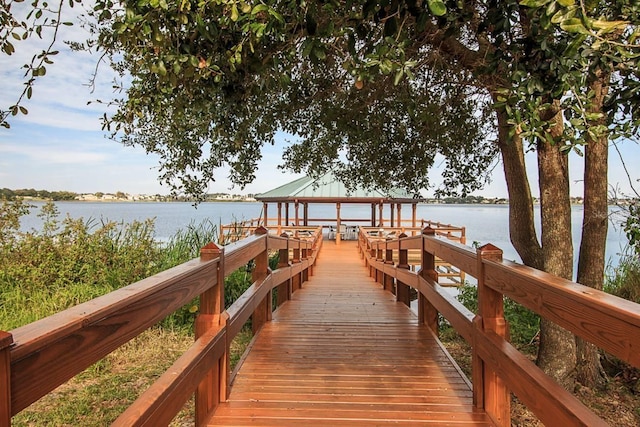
(494,397)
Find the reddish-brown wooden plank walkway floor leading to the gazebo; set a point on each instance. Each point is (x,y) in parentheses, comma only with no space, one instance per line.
(344,353)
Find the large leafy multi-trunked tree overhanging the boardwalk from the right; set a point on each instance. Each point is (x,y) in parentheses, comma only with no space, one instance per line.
(212,81)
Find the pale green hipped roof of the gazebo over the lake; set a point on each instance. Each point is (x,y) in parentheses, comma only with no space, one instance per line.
(328,189)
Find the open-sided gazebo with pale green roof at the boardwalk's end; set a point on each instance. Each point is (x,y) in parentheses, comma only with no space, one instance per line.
(329,190)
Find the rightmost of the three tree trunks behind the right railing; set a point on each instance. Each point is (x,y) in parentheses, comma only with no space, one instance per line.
(591,260)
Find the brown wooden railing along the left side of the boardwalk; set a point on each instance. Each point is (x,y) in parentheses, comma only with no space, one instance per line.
(37,358)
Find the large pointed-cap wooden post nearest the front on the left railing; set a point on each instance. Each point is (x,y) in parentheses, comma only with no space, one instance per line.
(212,389)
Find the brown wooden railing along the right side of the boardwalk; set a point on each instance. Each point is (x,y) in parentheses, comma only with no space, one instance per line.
(611,323)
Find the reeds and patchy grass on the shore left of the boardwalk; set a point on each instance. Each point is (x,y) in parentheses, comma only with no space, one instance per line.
(72,261)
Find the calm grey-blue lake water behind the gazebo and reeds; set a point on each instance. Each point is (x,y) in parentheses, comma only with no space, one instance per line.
(484,223)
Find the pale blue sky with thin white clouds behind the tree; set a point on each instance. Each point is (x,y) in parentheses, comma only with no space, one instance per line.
(59,144)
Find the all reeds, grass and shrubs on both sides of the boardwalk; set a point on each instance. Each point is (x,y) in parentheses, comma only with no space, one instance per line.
(70,261)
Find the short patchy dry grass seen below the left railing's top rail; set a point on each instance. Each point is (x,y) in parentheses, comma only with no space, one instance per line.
(101,393)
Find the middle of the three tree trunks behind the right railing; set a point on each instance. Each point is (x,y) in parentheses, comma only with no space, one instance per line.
(557,351)
